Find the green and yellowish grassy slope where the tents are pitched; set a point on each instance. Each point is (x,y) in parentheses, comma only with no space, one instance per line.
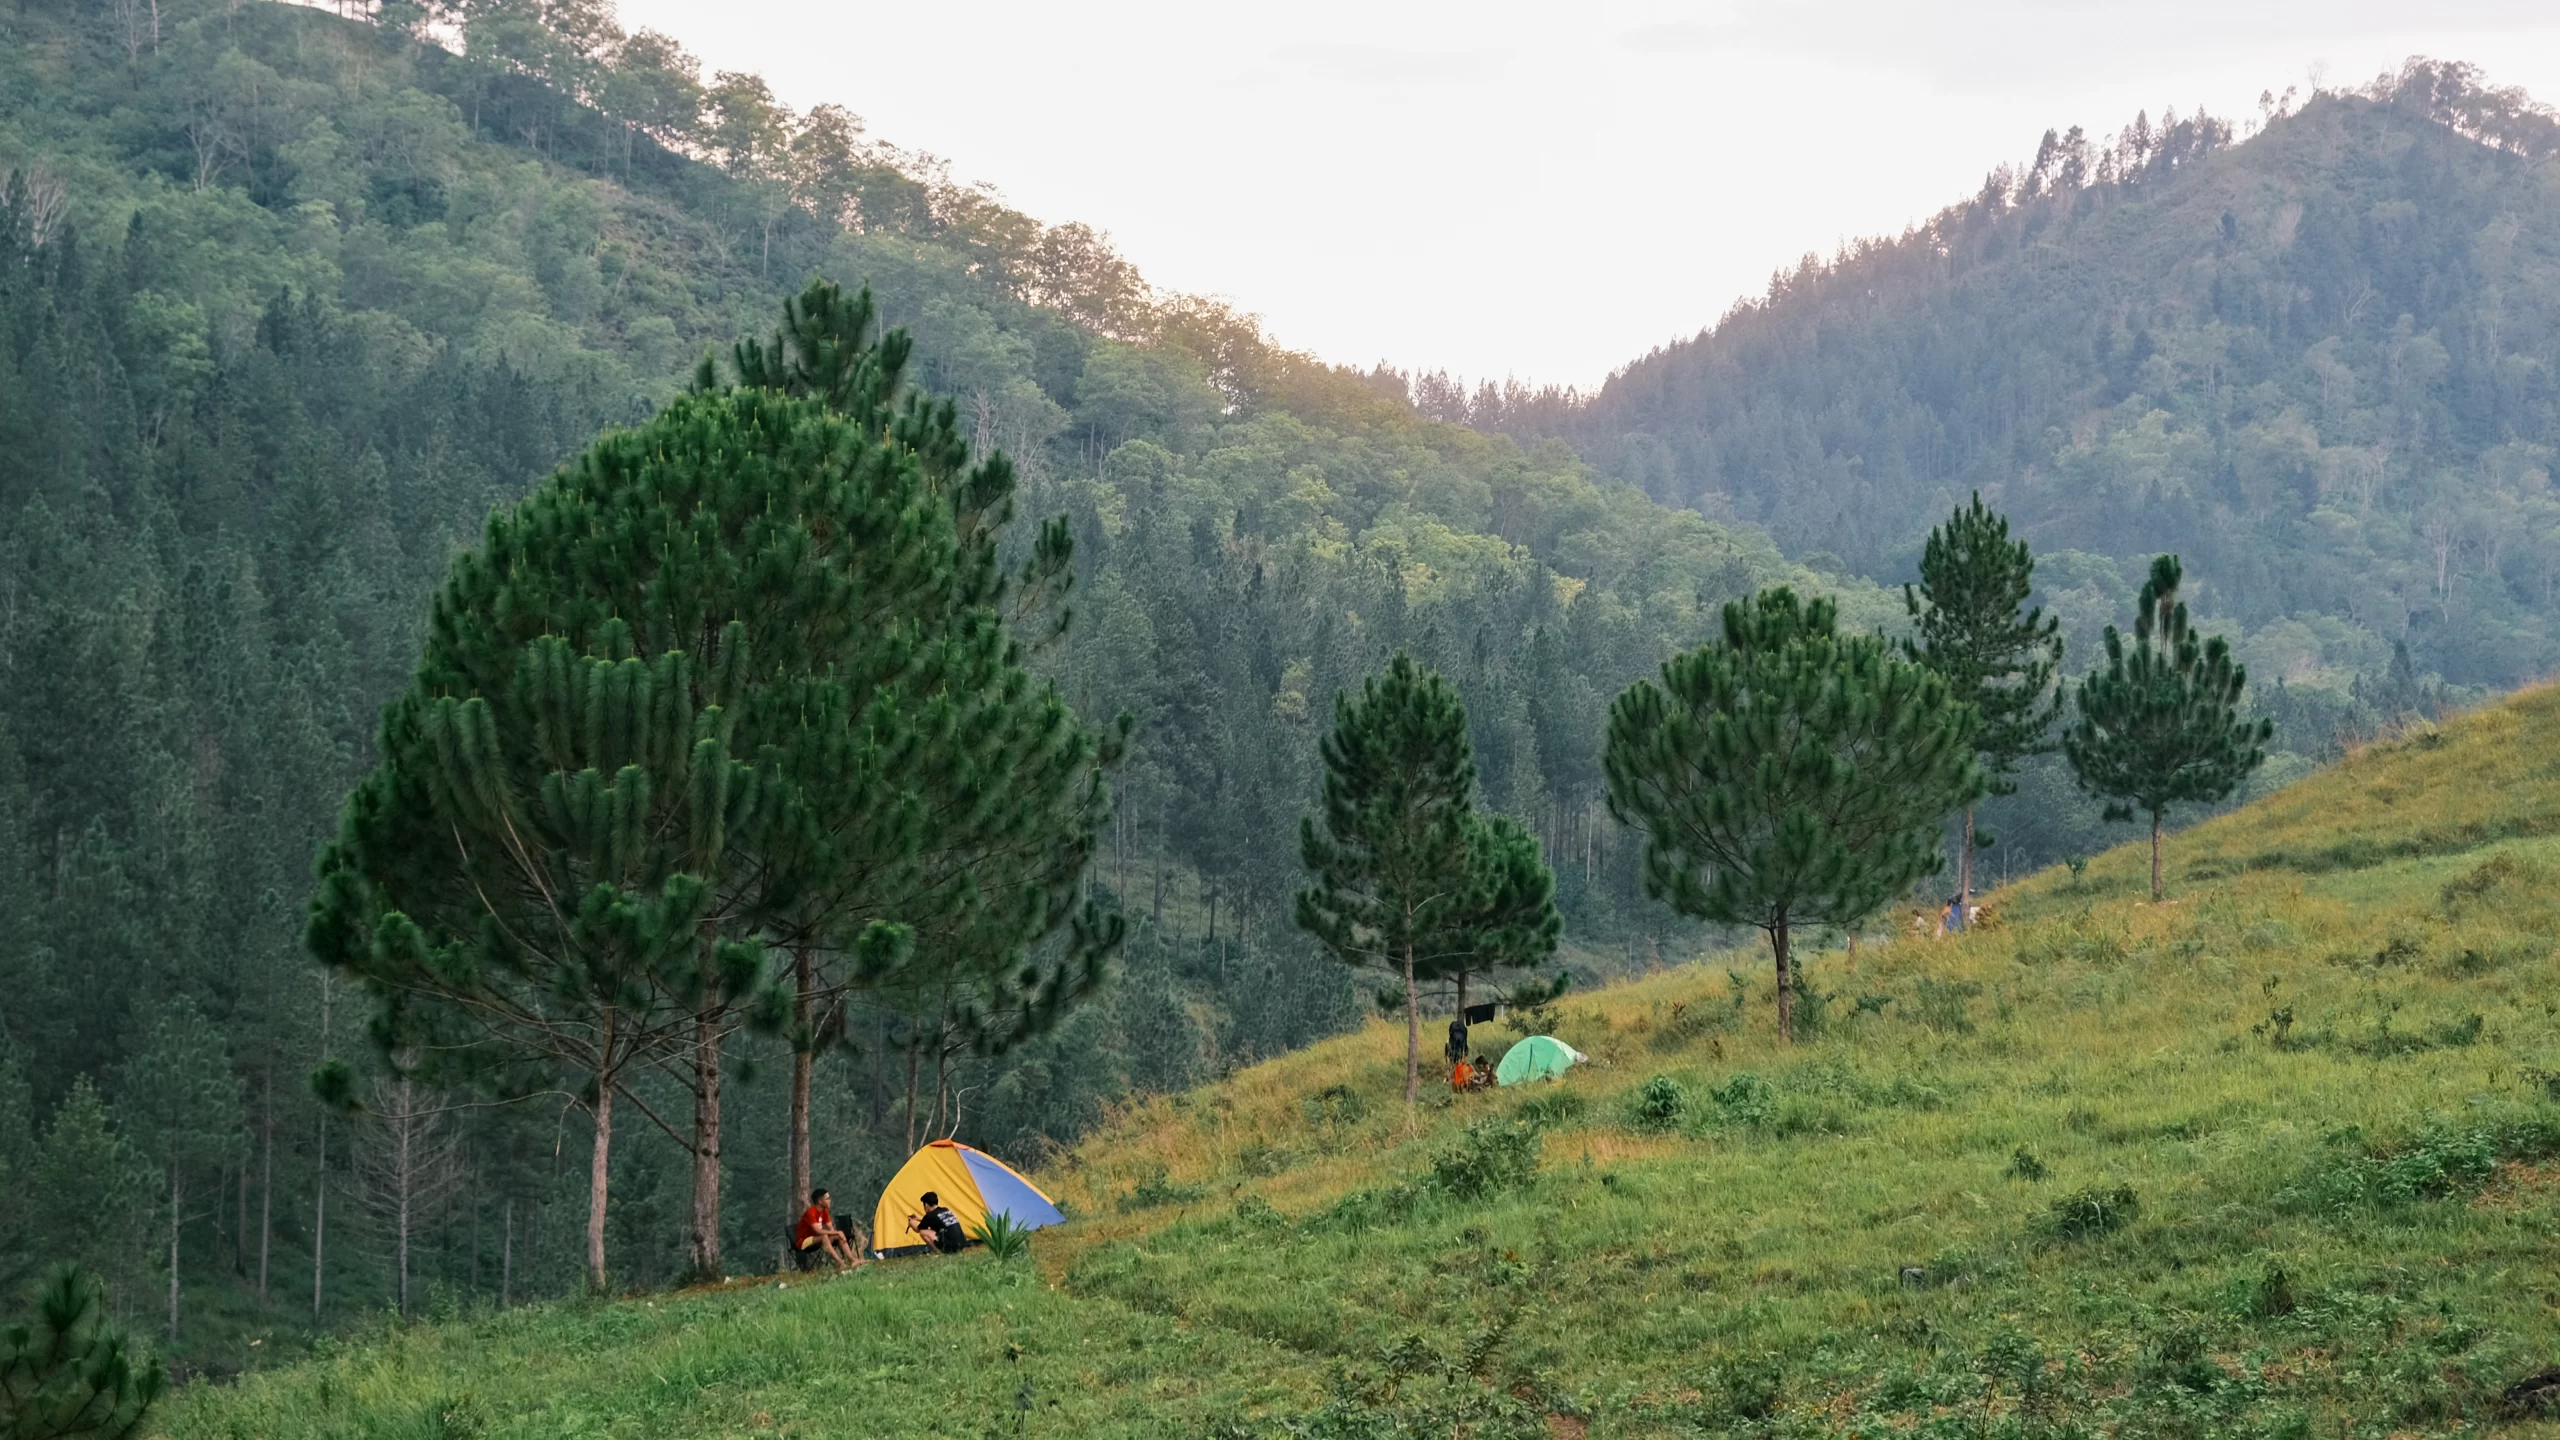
(2349,1234)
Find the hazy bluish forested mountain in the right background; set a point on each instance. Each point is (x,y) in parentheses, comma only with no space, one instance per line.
(2318,363)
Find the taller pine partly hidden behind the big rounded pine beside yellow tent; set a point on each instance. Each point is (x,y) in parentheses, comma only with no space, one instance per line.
(1007,790)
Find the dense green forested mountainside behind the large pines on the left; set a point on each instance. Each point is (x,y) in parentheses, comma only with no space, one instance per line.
(288,304)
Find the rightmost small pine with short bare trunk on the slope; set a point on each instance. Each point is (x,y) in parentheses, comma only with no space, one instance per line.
(2162,724)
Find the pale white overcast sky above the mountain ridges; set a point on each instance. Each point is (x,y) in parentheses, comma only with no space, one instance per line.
(1535,188)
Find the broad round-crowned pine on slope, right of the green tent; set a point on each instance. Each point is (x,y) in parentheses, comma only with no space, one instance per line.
(1788,775)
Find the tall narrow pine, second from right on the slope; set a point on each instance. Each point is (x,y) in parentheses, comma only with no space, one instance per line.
(1993,657)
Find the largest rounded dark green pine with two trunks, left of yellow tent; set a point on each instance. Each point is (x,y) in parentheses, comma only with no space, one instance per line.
(682,703)
